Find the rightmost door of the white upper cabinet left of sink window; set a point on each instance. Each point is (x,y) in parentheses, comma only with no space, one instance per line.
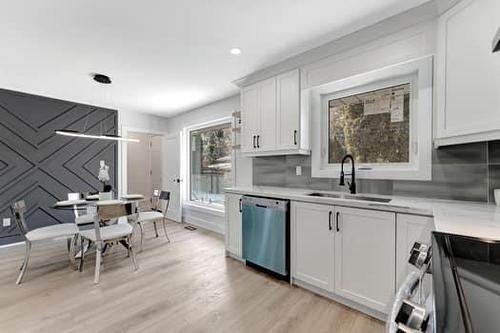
(288,106)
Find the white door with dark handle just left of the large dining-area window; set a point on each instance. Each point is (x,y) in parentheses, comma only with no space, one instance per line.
(172,179)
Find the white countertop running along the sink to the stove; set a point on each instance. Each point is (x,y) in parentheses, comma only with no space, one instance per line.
(473,219)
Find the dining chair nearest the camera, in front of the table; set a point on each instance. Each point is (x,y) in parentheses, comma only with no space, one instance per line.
(105,235)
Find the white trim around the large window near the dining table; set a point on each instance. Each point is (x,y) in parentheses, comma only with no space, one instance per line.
(187,153)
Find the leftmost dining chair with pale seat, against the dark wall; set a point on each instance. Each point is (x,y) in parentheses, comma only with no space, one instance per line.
(68,230)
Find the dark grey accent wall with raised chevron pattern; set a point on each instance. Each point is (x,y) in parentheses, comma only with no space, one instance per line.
(41,167)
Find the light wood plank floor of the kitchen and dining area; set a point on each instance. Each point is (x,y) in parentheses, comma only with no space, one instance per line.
(185,286)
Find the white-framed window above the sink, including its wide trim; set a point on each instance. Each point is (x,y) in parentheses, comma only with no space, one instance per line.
(383,118)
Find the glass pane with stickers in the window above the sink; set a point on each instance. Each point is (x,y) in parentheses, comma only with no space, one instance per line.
(374,126)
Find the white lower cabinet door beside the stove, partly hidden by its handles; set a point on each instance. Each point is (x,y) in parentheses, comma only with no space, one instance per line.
(410,229)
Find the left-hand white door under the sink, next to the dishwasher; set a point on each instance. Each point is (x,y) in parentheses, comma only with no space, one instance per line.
(313,244)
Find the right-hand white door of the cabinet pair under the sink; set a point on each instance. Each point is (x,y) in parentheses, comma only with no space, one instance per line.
(365,267)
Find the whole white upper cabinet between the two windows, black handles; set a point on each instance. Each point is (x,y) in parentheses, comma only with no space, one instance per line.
(272,123)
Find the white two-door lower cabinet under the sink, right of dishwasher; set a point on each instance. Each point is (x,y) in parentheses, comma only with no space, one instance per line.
(349,252)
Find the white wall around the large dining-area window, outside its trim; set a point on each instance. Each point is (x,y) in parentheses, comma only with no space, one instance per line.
(212,219)
